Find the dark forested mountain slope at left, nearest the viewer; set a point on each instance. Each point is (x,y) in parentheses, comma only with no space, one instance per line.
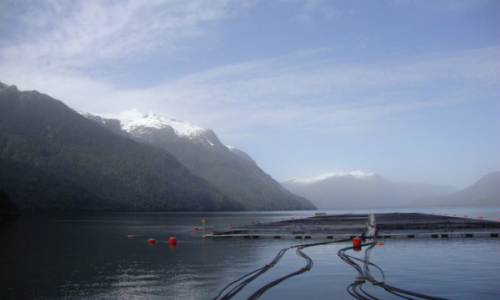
(53,158)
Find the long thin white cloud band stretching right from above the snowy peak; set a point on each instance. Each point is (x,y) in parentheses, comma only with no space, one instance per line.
(292,92)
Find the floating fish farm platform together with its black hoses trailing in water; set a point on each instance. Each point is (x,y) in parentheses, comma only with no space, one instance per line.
(365,231)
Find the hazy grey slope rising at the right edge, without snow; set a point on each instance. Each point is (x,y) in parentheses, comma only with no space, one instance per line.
(486,191)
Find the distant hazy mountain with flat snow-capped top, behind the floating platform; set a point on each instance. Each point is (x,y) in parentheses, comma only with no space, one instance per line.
(356,189)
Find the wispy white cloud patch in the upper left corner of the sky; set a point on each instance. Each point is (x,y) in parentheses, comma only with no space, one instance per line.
(59,35)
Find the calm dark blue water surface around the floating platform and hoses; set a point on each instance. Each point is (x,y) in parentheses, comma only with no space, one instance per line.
(90,256)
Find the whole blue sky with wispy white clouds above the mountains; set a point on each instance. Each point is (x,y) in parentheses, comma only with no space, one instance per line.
(406,89)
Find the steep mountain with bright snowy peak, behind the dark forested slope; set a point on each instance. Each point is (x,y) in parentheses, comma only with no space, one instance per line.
(229,169)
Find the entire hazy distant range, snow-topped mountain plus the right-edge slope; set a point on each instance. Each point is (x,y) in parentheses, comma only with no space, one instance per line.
(353,190)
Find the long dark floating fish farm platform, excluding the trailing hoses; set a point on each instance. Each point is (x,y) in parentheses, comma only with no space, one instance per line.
(383,226)
